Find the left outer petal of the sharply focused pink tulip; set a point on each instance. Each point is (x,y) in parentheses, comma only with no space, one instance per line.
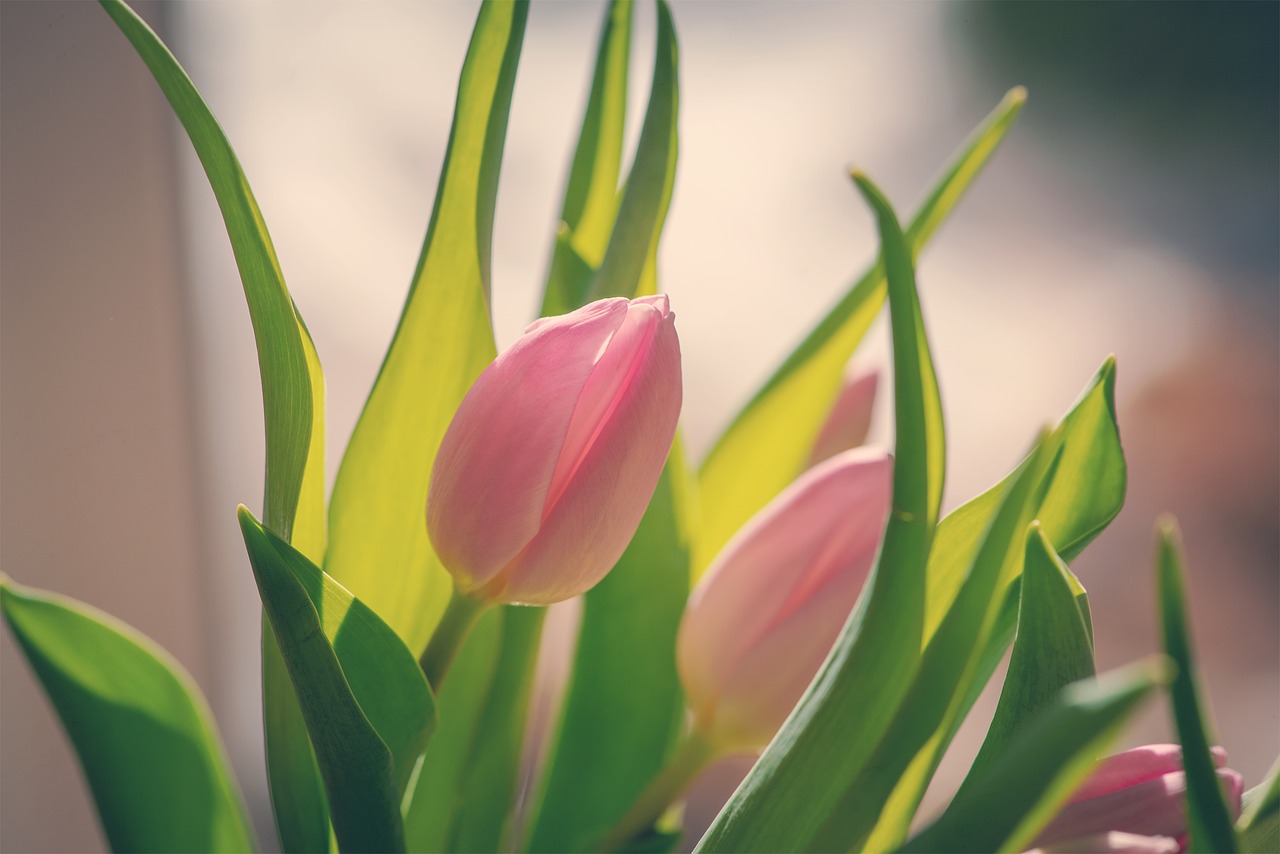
(496,463)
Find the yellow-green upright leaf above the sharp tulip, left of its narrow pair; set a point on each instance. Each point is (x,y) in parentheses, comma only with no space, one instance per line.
(592,197)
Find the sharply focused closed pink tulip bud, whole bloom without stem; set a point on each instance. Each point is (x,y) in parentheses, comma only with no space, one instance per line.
(555,453)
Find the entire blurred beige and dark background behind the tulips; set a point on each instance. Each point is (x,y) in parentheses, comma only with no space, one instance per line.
(1135,209)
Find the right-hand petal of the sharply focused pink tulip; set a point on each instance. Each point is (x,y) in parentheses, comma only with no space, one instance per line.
(592,523)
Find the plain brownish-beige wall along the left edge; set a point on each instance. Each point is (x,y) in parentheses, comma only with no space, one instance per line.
(98,483)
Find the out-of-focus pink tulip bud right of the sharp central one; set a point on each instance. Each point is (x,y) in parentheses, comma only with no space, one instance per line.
(767,613)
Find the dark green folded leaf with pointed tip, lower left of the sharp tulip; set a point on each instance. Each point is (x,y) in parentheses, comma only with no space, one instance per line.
(367,705)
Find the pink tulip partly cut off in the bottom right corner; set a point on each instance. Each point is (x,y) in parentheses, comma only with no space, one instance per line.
(1140,792)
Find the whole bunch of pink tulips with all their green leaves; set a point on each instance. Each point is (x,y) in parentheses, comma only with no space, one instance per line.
(793,596)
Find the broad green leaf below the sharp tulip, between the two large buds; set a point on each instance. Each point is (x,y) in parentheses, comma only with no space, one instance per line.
(624,707)
